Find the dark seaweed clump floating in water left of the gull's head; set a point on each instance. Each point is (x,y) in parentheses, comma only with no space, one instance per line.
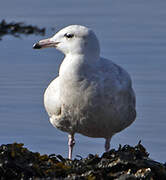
(17,28)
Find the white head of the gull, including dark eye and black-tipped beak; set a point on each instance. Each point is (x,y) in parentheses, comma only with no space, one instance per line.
(73,39)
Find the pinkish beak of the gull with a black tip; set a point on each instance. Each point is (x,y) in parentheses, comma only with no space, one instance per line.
(45,43)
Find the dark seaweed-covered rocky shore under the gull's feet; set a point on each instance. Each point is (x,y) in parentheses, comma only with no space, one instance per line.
(126,163)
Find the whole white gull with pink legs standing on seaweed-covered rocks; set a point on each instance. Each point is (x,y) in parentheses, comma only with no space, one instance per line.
(92,95)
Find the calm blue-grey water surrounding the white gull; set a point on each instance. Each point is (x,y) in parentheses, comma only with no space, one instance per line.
(132,33)
